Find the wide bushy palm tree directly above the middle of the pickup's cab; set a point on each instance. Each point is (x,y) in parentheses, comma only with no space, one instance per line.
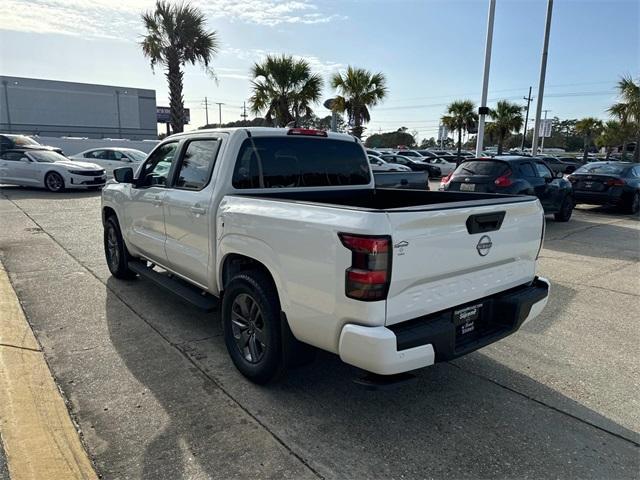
(284,88)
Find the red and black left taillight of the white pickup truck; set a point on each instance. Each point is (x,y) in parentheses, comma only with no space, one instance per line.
(369,275)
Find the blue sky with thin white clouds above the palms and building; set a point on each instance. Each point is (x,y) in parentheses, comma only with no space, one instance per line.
(431,52)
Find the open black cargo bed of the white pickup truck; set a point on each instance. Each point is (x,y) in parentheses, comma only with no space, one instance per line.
(384,199)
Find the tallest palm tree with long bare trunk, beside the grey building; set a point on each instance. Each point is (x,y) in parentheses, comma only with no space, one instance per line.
(176,35)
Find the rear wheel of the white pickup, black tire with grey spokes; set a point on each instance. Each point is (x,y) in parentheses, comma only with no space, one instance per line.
(253,337)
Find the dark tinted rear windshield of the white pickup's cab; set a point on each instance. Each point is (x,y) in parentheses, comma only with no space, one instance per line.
(290,162)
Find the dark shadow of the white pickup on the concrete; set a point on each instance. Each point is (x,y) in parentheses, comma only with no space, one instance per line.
(450,421)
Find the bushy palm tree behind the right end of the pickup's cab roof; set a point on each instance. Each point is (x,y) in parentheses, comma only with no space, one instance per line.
(358,90)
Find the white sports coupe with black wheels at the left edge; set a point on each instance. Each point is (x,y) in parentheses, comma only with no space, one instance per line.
(44,168)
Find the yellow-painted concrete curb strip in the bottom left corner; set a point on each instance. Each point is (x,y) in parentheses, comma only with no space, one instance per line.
(38,436)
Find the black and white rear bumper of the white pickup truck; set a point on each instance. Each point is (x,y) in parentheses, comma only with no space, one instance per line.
(426,340)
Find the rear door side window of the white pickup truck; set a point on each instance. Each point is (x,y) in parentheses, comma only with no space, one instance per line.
(197,164)
